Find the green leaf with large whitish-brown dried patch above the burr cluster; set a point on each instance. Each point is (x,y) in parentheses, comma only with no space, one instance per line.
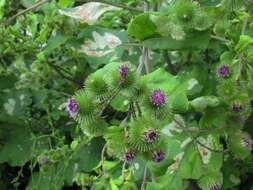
(101,45)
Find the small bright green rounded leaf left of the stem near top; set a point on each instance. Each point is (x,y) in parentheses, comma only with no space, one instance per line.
(141,27)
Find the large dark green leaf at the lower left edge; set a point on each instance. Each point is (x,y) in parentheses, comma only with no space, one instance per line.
(17,145)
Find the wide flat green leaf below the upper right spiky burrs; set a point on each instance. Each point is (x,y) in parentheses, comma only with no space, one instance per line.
(192,41)
